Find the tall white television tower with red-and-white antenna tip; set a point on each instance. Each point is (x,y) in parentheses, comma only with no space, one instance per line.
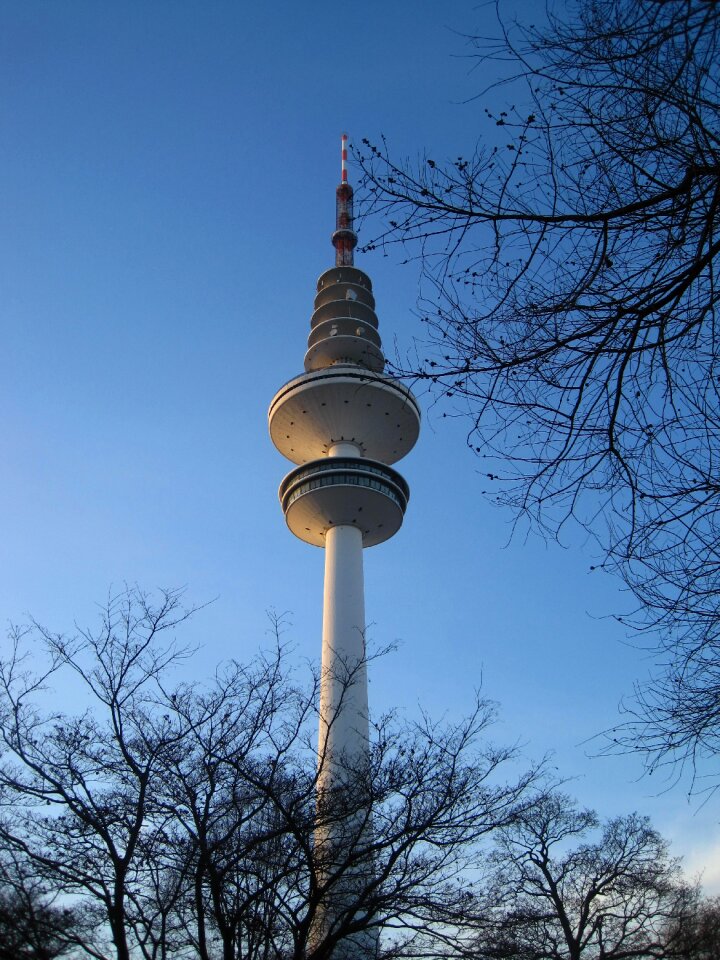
(343,422)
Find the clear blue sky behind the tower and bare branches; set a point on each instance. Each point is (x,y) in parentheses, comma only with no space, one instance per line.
(167,199)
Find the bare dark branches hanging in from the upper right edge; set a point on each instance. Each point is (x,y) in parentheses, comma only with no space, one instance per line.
(570,306)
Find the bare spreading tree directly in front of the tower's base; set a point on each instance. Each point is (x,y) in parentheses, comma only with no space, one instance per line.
(412,824)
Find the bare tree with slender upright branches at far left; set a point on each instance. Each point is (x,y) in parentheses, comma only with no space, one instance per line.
(78,789)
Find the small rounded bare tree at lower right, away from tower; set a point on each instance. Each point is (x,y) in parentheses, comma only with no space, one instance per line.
(566,887)
